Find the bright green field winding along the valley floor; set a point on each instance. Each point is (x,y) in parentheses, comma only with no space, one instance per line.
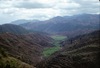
(49,51)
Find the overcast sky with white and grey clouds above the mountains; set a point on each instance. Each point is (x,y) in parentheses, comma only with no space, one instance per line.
(11,10)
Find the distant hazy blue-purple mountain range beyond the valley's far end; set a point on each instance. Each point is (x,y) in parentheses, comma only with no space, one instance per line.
(67,25)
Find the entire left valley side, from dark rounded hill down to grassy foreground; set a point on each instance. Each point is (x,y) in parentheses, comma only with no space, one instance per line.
(19,48)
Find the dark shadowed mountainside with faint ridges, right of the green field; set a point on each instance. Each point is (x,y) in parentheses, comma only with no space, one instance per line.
(79,52)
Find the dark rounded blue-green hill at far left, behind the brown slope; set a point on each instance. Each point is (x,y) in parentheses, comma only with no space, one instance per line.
(15,29)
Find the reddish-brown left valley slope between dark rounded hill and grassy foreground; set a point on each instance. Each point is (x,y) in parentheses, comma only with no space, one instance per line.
(26,48)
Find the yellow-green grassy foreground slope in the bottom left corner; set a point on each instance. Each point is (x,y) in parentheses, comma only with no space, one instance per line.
(6,61)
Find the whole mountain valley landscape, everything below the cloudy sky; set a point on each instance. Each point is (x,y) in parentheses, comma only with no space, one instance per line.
(60,42)
